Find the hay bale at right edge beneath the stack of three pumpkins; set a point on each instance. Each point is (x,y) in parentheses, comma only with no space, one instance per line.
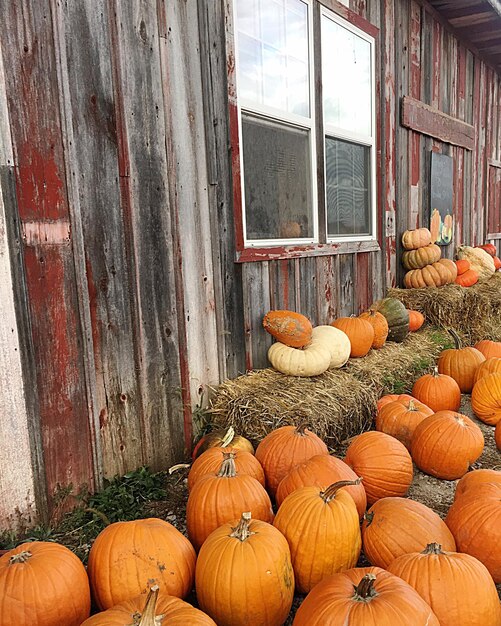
(475,312)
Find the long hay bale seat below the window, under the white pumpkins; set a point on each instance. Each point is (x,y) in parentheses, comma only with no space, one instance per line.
(336,405)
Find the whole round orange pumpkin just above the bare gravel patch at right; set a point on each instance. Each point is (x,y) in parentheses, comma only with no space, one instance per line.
(445,444)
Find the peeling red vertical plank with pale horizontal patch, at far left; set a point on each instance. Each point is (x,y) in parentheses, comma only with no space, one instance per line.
(50,273)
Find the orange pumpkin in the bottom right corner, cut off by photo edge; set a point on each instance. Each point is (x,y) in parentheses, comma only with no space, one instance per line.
(444,579)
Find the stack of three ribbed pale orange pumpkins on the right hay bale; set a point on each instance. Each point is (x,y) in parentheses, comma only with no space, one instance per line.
(422,260)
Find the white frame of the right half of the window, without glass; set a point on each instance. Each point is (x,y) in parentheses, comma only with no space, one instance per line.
(364,140)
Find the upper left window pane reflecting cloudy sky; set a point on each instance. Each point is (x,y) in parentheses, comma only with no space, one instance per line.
(273,54)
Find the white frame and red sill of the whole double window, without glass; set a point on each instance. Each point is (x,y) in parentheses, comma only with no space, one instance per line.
(287,248)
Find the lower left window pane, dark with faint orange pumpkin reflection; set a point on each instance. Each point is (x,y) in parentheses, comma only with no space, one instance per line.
(277,171)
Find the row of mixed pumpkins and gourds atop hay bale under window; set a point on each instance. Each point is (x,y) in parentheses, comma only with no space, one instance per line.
(301,350)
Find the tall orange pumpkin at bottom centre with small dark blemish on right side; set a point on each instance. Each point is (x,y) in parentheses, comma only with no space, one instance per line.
(244,574)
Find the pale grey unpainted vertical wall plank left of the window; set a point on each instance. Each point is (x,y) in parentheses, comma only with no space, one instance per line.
(187,174)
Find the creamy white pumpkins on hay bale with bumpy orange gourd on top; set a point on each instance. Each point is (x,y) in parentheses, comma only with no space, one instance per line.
(329,348)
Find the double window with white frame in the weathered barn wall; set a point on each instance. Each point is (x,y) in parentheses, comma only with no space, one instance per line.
(280,123)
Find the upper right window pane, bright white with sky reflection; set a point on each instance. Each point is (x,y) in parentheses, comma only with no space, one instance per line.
(347,80)
